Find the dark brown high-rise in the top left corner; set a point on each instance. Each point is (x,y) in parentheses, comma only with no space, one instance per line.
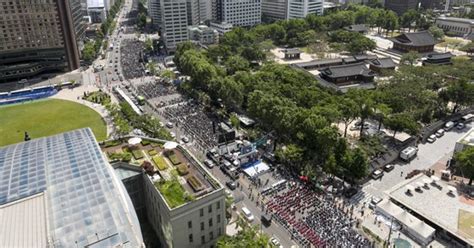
(39,36)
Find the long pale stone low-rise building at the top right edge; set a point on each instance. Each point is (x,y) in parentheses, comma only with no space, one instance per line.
(462,27)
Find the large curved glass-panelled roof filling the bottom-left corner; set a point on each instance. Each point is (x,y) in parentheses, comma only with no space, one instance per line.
(58,191)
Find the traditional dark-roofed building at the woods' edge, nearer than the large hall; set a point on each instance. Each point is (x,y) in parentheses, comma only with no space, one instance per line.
(348,74)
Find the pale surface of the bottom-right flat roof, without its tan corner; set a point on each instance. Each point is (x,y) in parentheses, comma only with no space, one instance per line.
(434,204)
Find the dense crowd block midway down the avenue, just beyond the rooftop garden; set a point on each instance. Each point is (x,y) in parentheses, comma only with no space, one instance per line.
(194,121)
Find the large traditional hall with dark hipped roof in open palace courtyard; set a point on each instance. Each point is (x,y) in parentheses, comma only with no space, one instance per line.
(422,42)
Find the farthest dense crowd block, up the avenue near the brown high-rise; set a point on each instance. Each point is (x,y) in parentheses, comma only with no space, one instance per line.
(130,58)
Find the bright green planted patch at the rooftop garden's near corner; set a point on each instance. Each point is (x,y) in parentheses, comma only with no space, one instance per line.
(174,194)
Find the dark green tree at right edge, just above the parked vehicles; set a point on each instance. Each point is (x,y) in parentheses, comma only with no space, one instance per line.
(461,93)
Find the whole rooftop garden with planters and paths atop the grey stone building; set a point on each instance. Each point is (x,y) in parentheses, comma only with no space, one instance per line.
(177,175)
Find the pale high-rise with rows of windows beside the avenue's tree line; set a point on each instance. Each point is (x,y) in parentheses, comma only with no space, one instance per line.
(174,22)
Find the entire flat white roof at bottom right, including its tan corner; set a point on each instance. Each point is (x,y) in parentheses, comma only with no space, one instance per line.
(437,202)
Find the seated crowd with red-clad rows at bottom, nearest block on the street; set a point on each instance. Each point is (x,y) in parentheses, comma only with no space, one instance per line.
(314,219)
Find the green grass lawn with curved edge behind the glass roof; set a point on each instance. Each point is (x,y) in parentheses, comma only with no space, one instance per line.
(47,117)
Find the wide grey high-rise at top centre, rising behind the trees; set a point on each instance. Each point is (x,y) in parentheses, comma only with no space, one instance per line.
(240,13)
